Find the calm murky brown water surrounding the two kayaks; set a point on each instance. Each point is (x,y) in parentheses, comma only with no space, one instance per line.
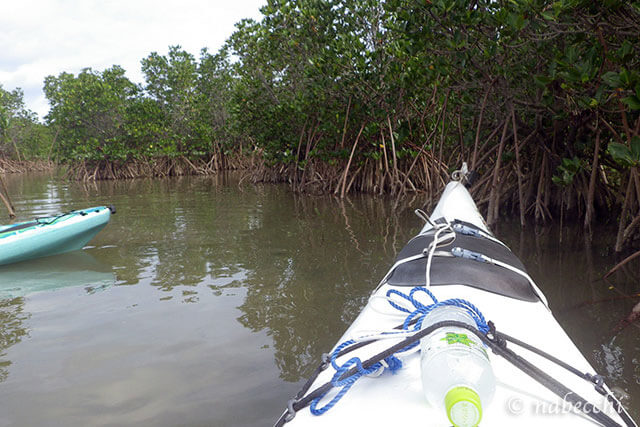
(208,303)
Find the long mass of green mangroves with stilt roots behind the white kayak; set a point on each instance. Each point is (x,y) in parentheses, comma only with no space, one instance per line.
(541,98)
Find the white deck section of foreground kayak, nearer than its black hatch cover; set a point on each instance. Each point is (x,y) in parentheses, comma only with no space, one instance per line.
(519,400)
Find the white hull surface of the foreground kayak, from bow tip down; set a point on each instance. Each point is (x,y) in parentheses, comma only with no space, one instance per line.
(398,398)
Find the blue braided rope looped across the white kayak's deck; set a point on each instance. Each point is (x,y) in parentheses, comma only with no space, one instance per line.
(412,323)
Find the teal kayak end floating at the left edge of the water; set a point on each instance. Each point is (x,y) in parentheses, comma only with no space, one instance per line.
(66,232)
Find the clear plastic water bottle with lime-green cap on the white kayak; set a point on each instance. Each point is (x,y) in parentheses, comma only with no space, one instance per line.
(456,372)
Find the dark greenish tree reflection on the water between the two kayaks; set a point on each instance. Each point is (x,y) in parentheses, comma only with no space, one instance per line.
(307,263)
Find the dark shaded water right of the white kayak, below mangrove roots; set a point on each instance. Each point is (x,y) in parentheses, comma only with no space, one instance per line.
(588,307)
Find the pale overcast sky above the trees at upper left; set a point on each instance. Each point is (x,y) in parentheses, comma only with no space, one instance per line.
(46,37)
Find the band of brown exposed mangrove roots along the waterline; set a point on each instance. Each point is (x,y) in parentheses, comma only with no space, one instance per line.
(533,197)
